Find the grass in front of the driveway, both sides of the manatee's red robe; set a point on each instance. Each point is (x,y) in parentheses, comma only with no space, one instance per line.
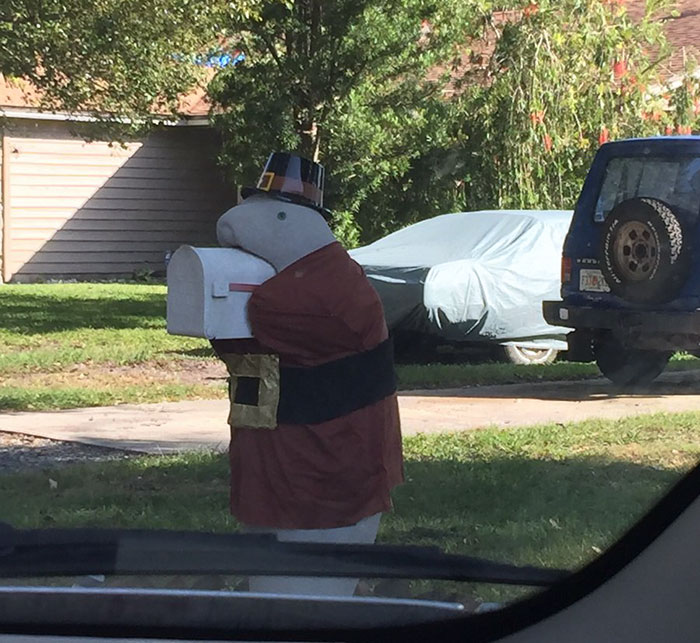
(551,495)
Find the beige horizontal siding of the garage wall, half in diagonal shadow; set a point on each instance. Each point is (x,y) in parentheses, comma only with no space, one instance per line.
(90,209)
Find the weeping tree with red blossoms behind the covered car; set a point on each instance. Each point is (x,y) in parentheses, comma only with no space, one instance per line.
(565,77)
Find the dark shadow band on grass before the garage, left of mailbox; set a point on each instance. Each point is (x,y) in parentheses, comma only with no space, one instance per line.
(29,314)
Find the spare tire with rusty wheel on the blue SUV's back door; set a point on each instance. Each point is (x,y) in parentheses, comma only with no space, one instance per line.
(644,253)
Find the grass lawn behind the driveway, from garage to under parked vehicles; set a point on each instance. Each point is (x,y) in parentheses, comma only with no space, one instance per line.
(73,345)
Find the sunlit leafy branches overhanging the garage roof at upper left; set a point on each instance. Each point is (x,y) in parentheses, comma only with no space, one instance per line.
(113,57)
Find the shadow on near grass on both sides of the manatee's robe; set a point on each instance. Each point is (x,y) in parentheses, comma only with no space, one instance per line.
(518,509)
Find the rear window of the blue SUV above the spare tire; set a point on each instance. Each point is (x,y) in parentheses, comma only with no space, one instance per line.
(673,180)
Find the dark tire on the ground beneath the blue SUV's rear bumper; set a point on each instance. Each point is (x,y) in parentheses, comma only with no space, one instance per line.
(625,366)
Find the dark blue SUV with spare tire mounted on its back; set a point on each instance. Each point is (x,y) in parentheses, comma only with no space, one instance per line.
(630,274)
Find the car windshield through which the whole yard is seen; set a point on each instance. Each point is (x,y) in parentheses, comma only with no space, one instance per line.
(293,271)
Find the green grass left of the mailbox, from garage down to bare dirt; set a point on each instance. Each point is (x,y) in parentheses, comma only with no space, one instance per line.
(51,327)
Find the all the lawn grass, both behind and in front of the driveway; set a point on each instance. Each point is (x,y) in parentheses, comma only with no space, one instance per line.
(551,495)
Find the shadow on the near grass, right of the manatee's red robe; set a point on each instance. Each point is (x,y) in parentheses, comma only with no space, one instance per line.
(504,497)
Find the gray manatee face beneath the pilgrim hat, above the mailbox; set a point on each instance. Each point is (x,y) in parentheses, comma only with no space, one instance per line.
(277,231)
